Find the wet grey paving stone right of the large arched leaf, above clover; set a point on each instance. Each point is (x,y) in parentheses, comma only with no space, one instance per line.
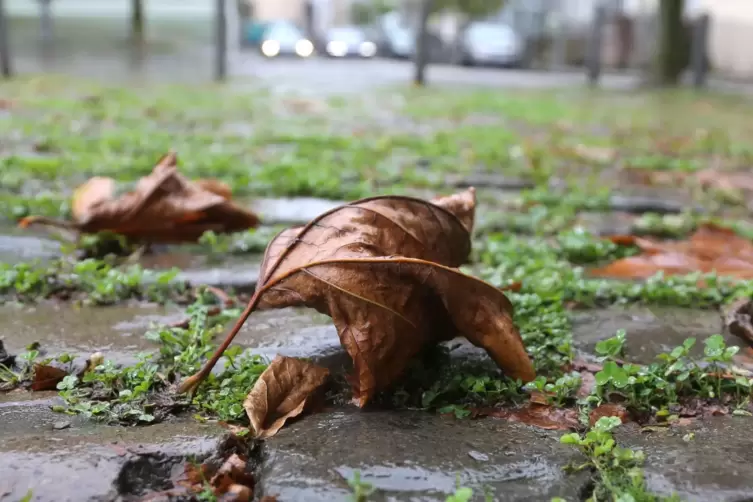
(650,331)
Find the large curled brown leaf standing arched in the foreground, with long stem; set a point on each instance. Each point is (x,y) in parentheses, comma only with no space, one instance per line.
(382,269)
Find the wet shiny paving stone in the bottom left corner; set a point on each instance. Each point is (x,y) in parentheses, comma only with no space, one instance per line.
(90,461)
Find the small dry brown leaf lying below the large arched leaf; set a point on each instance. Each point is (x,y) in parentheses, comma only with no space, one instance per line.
(282,392)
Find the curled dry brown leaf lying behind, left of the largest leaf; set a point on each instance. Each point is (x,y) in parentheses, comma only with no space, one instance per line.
(164,207)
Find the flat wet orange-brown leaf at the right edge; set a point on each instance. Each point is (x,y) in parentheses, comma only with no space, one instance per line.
(710,249)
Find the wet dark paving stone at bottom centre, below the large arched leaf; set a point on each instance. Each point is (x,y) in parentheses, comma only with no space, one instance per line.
(312,459)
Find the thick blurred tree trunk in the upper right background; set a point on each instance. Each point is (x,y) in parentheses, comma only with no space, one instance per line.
(672,43)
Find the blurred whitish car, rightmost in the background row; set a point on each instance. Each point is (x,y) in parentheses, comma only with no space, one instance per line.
(491,43)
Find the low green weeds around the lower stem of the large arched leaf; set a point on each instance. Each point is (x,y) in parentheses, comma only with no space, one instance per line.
(140,393)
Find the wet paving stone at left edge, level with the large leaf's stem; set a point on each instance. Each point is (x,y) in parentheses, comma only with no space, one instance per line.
(116,331)
